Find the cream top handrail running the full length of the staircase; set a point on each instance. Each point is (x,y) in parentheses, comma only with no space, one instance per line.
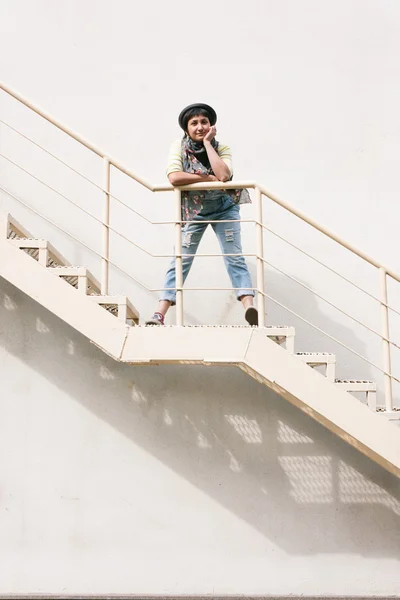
(197,186)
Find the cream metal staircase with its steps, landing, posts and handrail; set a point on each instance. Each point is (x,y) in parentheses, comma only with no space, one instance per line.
(266,353)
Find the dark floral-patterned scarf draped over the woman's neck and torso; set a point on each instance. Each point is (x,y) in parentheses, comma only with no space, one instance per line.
(195,160)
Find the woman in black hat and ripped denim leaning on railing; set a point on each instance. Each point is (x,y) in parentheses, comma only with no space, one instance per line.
(199,157)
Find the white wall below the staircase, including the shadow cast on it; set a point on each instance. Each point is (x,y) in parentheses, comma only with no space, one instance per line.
(174,480)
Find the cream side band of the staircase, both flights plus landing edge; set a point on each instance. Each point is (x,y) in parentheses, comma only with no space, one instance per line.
(248,348)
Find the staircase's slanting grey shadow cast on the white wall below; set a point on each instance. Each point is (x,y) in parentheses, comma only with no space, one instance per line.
(234,439)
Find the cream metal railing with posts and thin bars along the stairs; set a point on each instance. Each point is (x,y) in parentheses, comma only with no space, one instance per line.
(260,193)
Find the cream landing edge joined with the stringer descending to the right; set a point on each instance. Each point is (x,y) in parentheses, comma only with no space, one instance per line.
(253,352)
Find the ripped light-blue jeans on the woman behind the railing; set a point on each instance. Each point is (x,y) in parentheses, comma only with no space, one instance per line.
(229,238)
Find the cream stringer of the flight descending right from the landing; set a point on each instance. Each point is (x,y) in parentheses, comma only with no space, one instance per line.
(334,408)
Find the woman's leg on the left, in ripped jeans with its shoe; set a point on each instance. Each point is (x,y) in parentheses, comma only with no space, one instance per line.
(191,237)
